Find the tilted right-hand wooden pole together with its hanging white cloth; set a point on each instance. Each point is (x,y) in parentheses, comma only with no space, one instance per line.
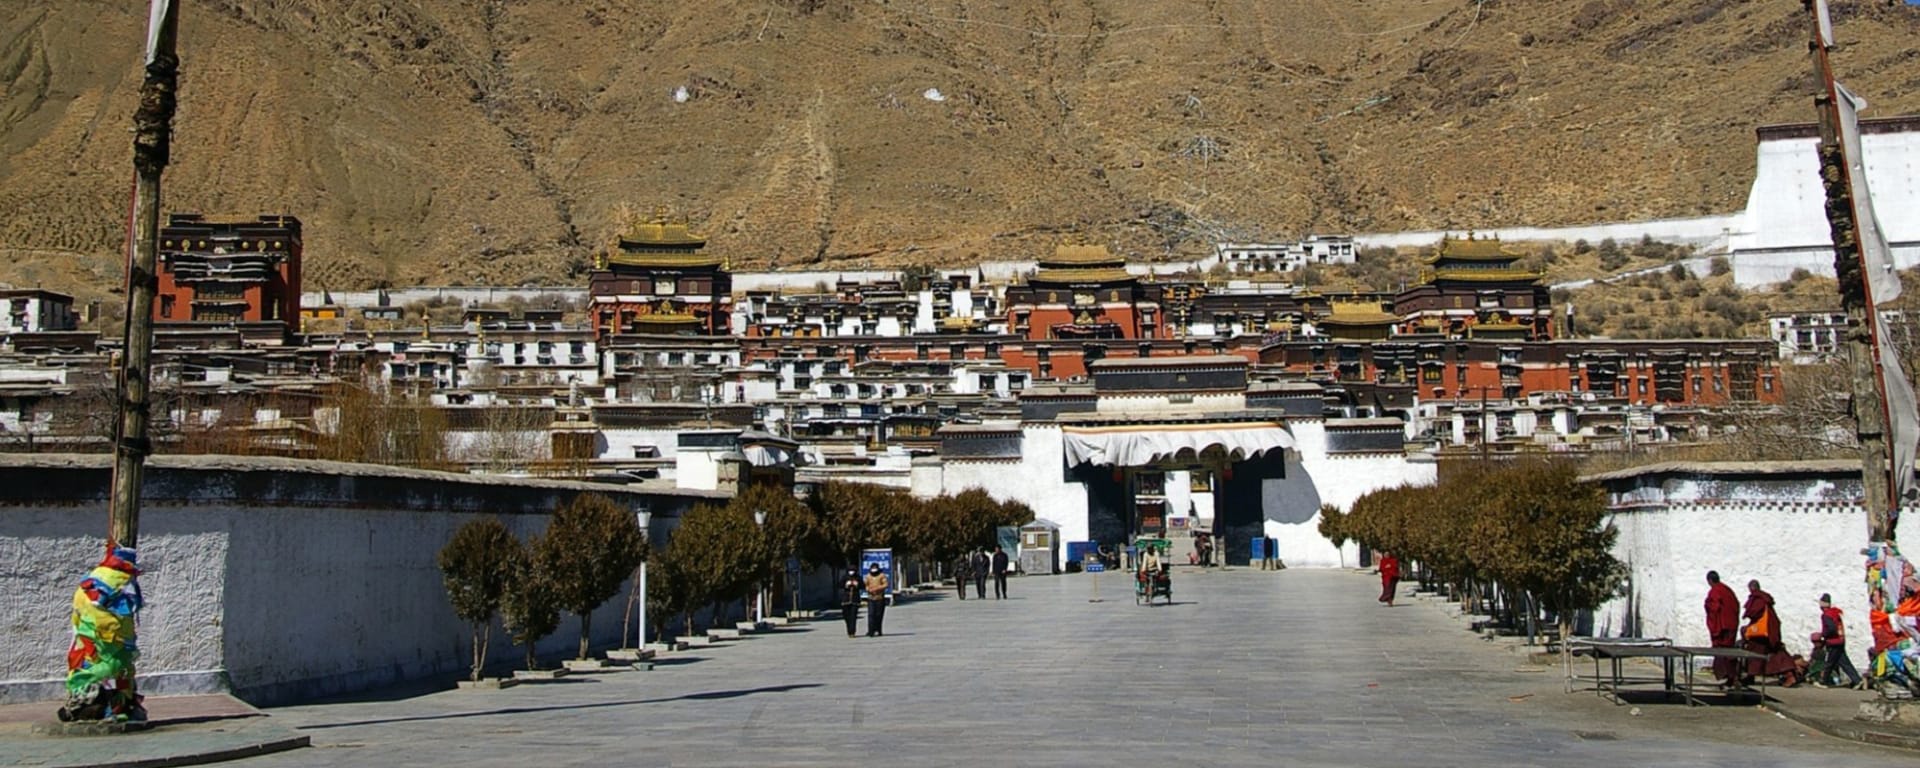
(1883,398)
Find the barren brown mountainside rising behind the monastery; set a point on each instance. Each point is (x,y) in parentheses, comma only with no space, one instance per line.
(489,141)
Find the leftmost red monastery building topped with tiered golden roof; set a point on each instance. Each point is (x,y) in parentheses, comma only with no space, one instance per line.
(661,281)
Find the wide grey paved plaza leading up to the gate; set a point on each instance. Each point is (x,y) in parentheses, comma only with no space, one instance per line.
(1247,667)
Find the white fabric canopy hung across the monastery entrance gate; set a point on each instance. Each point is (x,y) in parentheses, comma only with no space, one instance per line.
(1141,444)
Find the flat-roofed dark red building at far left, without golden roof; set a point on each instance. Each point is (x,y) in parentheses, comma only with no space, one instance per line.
(229,272)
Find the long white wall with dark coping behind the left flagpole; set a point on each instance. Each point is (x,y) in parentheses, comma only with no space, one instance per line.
(274,579)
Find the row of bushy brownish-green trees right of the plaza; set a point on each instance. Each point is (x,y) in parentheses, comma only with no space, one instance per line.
(1527,533)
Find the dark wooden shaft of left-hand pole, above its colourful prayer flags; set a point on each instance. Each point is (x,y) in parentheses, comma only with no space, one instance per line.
(151,147)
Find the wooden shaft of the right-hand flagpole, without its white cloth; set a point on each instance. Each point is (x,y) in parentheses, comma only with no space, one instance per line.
(1863,352)
